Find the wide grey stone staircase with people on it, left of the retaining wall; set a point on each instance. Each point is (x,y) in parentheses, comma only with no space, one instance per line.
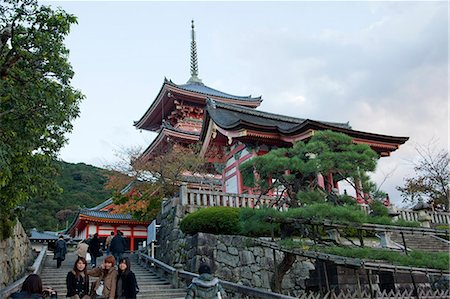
(150,285)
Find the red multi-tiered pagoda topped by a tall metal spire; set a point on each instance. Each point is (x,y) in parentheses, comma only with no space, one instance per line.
(178,109)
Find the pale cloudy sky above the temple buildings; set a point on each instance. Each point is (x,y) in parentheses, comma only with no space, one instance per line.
(382,66)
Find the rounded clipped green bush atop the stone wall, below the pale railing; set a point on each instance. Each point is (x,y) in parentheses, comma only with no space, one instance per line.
(214,220)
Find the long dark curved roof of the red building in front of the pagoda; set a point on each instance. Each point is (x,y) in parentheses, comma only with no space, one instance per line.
(246,124)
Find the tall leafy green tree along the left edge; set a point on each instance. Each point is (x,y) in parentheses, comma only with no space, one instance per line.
(37,102)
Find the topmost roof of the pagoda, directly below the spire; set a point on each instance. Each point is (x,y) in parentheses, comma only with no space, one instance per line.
(194,92)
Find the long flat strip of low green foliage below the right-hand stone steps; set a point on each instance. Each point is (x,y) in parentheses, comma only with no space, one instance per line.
(434,260)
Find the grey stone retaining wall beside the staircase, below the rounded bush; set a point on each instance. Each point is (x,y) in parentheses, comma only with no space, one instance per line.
(232,258)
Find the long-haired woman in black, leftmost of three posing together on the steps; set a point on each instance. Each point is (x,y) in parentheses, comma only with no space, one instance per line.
(77,280)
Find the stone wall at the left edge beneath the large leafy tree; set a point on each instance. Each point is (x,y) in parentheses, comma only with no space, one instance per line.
(15,256)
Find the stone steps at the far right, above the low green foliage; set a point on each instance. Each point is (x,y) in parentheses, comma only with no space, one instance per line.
(421,242)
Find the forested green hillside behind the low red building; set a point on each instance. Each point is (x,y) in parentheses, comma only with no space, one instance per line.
(82,186)
